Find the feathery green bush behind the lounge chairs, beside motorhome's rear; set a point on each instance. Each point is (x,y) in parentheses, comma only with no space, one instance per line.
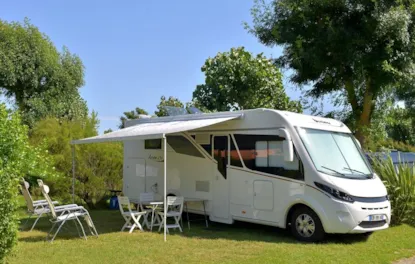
(98,166)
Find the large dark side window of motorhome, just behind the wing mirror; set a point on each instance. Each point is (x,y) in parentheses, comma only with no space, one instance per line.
(265,153)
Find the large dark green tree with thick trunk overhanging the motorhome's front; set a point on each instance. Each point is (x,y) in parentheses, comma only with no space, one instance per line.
(360,48)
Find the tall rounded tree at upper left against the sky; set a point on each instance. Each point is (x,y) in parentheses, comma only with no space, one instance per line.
(42,81)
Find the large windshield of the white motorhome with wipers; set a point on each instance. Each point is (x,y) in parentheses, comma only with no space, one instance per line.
(335,153)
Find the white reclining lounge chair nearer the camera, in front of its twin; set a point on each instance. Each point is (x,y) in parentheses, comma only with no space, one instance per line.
(66,214)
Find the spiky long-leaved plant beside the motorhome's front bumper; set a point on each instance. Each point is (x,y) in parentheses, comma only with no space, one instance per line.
(400,183)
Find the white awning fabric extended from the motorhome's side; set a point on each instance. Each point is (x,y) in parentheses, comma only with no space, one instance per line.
(153,130)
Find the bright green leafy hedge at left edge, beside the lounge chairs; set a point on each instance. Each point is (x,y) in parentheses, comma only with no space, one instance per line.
(17,159)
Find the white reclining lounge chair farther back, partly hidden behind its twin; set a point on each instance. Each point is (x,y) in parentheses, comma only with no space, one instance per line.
(38,207)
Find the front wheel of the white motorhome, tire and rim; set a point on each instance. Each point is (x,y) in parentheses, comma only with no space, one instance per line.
(312,230)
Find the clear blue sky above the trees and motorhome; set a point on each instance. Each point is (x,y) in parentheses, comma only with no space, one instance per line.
(136,51)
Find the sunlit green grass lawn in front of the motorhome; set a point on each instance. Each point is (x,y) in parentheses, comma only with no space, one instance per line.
(239,243)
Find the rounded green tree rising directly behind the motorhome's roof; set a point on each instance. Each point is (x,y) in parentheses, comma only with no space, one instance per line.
(239,80)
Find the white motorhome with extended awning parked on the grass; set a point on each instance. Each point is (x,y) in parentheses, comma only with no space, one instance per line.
(262,166)
